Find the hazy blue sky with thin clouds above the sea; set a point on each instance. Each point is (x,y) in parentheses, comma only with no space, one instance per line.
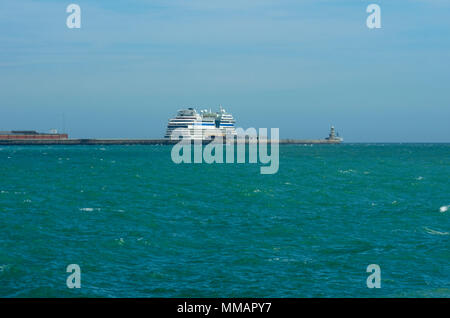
(300,66)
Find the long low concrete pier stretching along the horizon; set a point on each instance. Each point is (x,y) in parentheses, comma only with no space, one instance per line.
(68,142)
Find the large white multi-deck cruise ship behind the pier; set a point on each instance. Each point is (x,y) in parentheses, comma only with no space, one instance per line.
(204,125)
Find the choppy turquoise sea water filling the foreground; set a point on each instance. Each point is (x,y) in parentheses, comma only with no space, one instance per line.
(141,226)
